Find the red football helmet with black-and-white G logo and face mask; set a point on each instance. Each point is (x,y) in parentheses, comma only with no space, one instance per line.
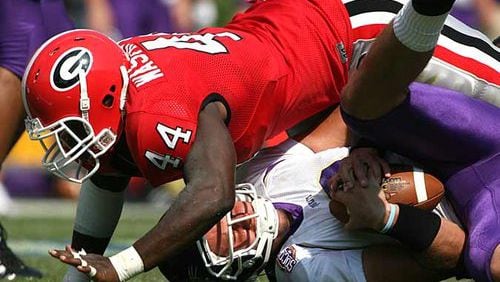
(74,91)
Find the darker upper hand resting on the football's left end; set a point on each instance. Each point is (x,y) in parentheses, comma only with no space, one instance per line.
(361,164)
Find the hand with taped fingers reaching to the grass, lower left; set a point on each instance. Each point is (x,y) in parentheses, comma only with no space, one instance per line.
(97,267)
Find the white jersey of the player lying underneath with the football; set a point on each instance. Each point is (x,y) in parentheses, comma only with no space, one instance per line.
(319,246)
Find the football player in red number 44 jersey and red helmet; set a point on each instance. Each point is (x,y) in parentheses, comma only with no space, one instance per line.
(138,110)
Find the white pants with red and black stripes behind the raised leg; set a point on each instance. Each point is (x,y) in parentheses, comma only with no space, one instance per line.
(464,60)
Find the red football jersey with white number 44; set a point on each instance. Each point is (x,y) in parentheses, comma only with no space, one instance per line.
(274,65)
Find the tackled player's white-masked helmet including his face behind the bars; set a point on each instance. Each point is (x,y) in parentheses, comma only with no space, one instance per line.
(241,243)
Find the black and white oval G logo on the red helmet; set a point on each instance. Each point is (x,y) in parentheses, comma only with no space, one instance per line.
(65,72)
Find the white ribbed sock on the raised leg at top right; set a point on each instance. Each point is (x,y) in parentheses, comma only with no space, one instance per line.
(418,32)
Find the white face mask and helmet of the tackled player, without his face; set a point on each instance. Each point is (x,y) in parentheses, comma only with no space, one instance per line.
(256,255)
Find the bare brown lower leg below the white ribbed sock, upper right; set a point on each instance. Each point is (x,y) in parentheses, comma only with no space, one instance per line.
(381,83)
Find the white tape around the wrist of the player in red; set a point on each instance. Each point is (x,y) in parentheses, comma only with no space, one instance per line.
(127,263)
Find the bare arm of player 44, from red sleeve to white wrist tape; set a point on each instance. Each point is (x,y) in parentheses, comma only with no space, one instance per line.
(208,195)
